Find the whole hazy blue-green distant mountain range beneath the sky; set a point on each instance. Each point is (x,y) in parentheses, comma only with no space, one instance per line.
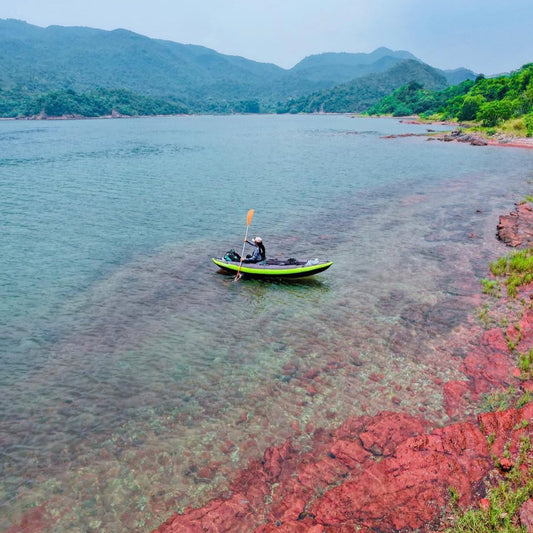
(39,60)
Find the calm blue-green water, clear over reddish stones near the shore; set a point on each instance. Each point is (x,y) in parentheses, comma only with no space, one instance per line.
(135,378)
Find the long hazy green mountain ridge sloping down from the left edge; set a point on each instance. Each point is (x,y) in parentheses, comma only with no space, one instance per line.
(81,59)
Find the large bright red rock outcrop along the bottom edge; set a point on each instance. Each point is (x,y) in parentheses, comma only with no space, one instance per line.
(385,473)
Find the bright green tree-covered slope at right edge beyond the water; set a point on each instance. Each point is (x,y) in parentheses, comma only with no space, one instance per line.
(505,102)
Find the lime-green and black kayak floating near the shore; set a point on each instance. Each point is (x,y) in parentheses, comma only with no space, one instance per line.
(274,268)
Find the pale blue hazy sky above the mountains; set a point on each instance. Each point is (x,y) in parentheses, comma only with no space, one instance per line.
(487,36)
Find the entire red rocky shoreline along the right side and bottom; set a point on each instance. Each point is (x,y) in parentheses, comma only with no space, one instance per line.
(390,472)
